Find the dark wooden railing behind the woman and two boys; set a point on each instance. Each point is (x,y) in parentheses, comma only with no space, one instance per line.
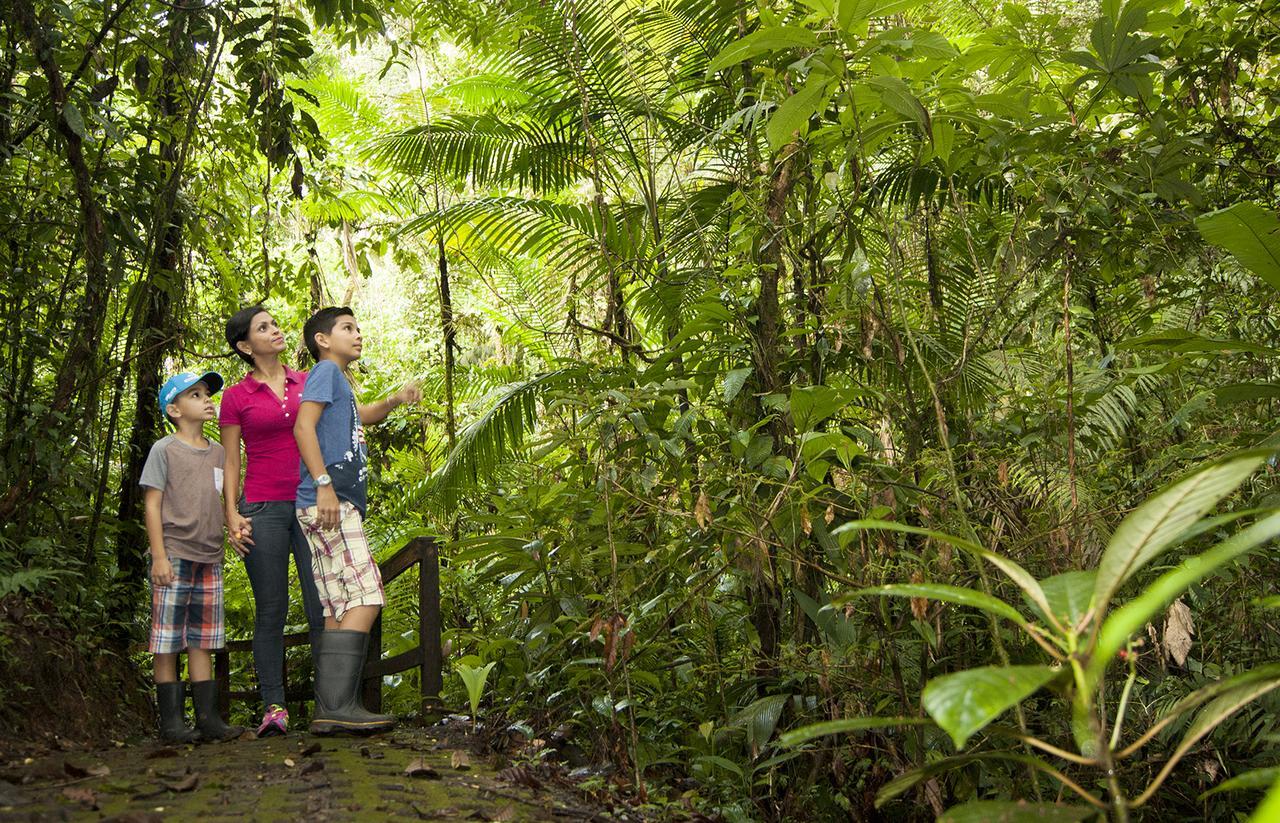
(427,656)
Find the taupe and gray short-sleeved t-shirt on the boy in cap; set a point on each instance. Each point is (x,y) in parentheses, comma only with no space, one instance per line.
(191,507)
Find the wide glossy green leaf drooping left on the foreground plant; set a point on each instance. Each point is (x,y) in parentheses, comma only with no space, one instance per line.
(966,702)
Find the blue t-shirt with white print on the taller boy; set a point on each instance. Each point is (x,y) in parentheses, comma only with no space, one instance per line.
(342,438)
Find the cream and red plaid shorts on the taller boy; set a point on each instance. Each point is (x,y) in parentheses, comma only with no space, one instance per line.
(345,569)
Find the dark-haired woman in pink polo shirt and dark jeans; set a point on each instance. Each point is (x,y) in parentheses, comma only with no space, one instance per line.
(260,411)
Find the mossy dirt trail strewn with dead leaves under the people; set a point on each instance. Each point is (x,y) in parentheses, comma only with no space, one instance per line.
(409,775)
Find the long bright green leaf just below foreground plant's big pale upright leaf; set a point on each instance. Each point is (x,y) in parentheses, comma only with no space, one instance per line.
(1135,615)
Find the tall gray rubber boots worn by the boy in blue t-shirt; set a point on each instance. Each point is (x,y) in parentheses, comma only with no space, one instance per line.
(340,661)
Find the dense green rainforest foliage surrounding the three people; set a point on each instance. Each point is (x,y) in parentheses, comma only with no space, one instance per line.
(836,409)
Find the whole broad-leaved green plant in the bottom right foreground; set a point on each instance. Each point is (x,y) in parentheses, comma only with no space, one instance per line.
(1085,633)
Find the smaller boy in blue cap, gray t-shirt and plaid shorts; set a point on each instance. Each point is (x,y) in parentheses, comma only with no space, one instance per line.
(184,482)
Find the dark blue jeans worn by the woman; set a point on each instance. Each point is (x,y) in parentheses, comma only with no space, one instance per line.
(277,536)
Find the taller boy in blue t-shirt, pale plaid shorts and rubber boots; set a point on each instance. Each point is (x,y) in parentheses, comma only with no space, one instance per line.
(331,507)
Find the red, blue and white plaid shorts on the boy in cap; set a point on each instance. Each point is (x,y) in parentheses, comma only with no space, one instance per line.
(189,612)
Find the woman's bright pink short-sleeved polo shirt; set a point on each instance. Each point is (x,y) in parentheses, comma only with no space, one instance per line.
(267,431)
